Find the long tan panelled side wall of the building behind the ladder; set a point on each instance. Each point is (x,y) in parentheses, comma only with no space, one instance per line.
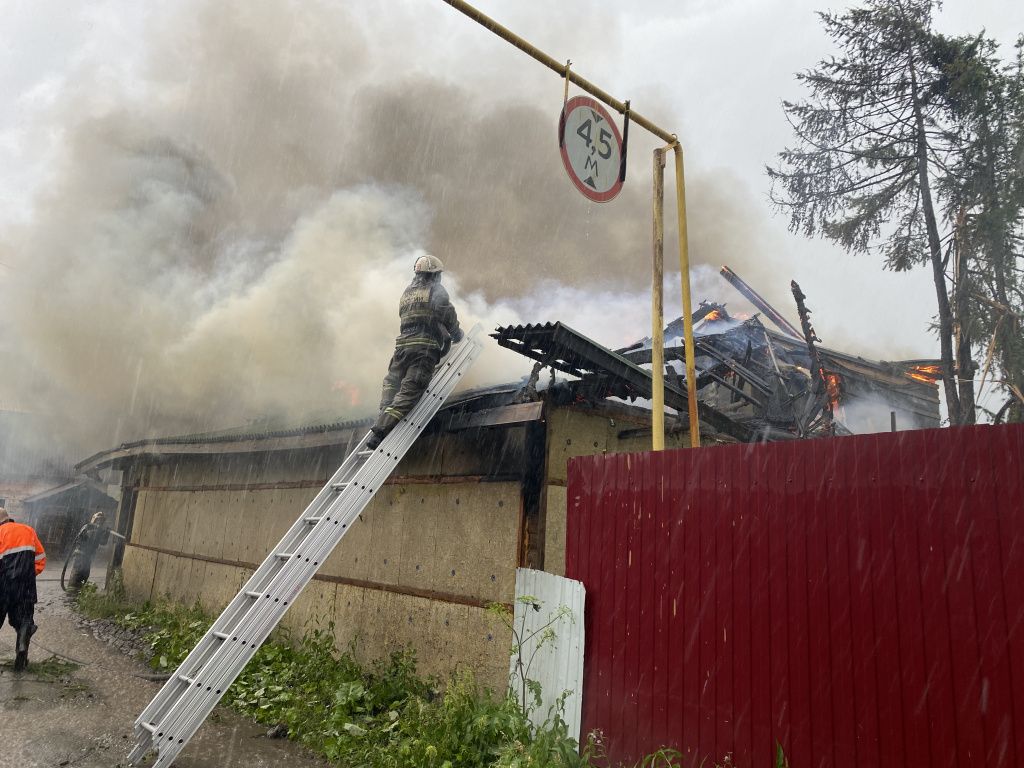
(437,545)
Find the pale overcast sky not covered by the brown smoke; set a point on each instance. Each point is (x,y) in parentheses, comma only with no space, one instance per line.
(713,71)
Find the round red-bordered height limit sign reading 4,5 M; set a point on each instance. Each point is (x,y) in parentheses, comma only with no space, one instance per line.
(592,149)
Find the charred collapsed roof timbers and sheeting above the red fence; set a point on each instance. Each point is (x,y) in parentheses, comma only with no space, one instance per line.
(754,383)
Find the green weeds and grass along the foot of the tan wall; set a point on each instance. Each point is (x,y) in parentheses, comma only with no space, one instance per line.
(385,716)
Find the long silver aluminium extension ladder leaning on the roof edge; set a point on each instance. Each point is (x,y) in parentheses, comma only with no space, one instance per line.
(179,710)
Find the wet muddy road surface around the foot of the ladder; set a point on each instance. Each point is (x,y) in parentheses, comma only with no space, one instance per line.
(76,704)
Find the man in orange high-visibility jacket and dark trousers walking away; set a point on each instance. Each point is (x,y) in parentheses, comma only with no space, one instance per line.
(22,560)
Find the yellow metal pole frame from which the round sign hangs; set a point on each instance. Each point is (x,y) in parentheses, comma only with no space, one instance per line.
(658,319)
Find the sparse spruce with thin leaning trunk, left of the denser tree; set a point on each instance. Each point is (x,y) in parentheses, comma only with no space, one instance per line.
(873,140)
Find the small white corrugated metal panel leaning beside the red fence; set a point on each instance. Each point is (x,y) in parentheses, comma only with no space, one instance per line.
(550,628)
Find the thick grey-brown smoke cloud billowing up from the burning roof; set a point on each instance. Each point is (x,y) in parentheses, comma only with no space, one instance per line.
(226,240)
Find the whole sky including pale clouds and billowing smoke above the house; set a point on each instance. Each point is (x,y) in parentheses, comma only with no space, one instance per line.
(208,211)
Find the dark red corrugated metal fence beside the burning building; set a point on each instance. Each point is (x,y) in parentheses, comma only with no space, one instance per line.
(861,601)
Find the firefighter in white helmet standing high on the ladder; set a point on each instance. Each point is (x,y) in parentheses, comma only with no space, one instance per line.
(430,327)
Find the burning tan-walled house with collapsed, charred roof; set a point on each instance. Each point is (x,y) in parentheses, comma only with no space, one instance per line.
(484,490)
